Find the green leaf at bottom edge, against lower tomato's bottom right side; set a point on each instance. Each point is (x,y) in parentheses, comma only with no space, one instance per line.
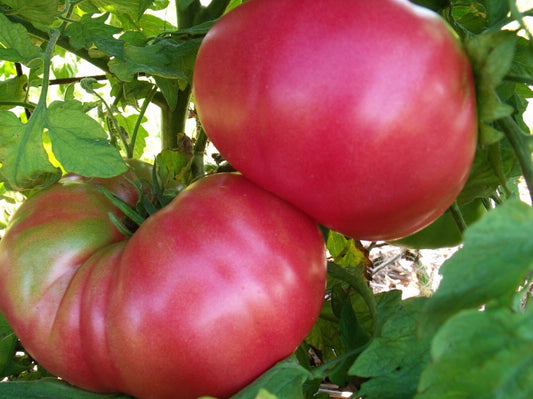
(285,380)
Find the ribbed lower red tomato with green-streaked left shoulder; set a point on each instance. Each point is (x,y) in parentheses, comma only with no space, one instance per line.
(207,294)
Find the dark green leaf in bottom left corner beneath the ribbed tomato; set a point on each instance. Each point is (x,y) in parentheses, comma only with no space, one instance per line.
(49,388)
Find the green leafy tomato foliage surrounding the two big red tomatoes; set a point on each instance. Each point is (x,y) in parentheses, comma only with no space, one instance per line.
(141,55)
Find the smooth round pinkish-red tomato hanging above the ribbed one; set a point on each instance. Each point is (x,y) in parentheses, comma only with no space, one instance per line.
(361,113)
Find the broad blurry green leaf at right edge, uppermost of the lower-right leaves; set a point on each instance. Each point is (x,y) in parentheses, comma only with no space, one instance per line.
(496,257)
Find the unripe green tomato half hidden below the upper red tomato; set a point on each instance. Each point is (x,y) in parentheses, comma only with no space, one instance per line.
(443,232)
